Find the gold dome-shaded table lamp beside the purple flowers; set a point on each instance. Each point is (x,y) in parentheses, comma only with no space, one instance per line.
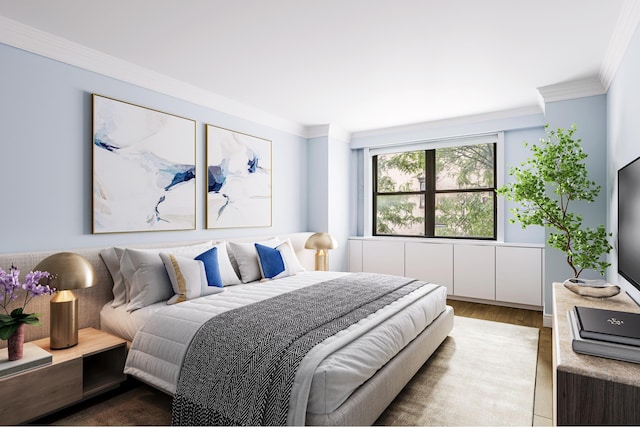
(69,271)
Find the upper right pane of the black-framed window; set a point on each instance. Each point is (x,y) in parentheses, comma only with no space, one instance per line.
(468,166)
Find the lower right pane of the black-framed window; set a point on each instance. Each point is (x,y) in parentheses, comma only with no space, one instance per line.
(465,214)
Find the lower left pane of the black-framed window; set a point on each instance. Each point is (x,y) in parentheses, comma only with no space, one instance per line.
(403,215)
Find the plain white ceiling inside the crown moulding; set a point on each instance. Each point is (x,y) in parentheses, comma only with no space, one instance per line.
(354,64)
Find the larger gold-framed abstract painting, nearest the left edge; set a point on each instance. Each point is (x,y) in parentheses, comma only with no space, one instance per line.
(143,169)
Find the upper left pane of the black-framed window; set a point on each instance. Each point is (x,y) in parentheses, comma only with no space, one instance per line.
(401,172)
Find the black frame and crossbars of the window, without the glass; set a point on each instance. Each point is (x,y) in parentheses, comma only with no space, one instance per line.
(429,195)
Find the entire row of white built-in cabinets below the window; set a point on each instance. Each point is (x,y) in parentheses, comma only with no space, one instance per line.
(491,271)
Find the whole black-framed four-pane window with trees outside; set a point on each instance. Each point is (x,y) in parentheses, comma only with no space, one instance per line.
(439,192)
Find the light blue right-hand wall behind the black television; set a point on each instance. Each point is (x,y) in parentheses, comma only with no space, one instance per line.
(623,136)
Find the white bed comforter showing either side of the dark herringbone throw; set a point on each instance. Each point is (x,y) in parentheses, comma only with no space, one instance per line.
(328,374)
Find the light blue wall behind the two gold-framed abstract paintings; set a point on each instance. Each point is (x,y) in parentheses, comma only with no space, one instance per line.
(45,116)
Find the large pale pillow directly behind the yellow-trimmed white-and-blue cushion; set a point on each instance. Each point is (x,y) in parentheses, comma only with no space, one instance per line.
(146,279)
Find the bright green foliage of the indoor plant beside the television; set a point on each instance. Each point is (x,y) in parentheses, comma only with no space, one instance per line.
(557,164)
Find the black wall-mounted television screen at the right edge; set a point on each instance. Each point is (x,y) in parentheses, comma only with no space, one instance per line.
(629,222)
